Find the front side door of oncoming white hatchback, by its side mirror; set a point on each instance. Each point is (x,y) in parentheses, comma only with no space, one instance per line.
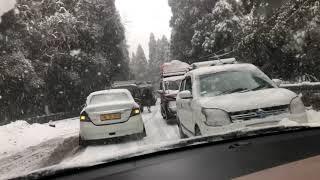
(186,111)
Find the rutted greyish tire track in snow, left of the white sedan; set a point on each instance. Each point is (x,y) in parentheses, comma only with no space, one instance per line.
(48,153)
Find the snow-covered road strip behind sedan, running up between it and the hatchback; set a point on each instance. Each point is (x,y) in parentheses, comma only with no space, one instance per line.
(158,130)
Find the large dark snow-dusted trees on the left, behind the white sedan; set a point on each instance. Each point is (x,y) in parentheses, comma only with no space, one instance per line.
(68,48)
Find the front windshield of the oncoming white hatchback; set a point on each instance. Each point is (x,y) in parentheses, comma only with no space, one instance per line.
(231,82)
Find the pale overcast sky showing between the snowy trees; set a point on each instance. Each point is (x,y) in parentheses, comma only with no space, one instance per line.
(141,17)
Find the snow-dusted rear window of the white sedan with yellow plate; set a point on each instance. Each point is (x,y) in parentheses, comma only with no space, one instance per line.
(108,98)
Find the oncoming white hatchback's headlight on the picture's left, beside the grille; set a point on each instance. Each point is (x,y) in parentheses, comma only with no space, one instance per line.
(216,117)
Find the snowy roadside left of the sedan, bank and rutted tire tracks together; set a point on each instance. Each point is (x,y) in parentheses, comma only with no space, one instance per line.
(26,147)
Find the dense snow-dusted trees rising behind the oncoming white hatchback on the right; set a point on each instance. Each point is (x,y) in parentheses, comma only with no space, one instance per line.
(281,37)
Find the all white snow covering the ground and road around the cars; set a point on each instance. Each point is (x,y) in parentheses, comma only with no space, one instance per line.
(25,148)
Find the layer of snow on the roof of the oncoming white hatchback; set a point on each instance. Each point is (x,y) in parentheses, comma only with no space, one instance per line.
(221,68)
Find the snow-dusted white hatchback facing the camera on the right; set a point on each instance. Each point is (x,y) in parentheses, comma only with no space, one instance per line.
(218,98)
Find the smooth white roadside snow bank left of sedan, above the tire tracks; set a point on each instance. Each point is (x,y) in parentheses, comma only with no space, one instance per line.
(19,135)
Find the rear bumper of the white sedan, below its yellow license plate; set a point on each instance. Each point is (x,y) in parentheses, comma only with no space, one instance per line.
(89,131)
